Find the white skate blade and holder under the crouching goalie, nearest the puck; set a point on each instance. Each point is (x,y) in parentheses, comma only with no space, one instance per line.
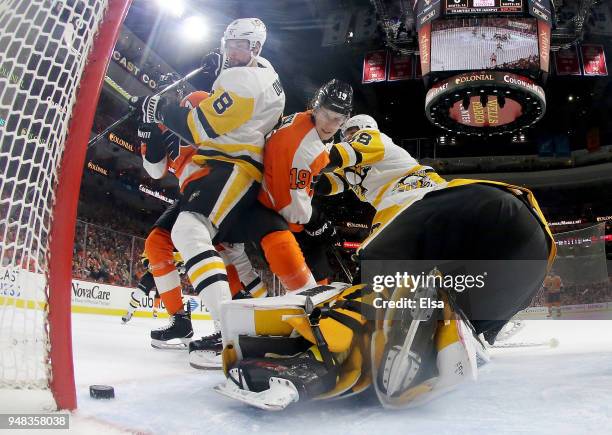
(280,394)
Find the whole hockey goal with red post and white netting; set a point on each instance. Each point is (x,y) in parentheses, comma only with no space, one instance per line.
(53,54)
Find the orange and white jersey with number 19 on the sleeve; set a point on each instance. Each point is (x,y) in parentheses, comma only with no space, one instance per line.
(293,155)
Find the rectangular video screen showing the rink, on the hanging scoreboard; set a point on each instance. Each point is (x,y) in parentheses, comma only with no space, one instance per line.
(484,43)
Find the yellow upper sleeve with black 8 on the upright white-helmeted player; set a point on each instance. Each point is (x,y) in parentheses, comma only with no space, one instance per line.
(219,114)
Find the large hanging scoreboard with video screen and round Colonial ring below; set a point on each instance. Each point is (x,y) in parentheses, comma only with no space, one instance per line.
(484,62)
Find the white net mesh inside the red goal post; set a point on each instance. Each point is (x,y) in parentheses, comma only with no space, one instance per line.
(44,45)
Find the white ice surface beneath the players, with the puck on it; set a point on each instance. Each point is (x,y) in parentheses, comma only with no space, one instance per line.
(562,390)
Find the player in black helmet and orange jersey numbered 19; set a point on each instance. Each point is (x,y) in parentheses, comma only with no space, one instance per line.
(295,155)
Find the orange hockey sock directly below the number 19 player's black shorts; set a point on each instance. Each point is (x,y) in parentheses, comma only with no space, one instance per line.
(286,260)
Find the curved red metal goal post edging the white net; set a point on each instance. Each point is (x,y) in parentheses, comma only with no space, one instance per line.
(61,238)
